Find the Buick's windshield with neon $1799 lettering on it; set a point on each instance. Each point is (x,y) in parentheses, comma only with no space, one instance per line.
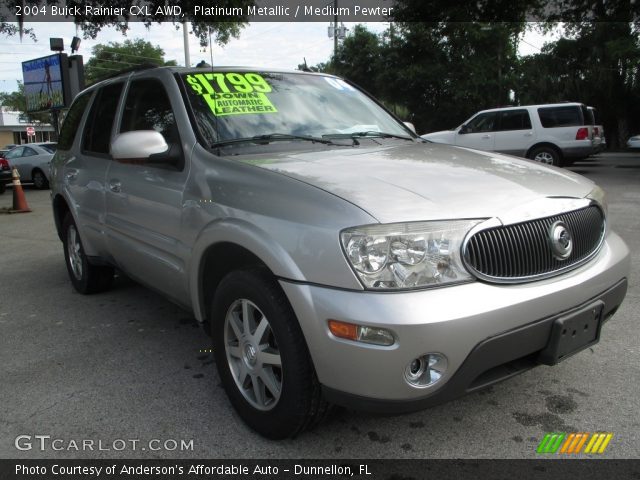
(244,105)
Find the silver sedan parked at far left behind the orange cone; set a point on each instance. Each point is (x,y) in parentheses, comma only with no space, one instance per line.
(32,161)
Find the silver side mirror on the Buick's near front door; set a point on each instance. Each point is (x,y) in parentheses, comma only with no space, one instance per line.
(138,146)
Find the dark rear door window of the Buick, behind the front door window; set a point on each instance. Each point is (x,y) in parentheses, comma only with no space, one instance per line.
(97,132)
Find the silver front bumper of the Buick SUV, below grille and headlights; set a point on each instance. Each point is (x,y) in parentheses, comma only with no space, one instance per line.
(488,332)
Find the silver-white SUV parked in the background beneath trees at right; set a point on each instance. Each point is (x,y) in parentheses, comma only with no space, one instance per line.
(555,134)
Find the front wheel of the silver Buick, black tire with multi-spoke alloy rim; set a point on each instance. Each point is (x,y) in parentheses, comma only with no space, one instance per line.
(277,401)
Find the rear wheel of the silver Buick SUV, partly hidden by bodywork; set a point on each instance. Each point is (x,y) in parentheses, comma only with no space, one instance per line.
(86,278)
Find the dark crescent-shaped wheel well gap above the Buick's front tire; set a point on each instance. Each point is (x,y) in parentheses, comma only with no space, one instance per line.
(218,260)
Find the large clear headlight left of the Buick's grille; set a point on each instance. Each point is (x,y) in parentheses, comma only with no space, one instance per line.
(407,255)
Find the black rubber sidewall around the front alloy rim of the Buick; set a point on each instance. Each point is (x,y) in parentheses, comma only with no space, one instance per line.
(284,419)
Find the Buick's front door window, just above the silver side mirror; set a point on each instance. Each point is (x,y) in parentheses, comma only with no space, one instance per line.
(148,108)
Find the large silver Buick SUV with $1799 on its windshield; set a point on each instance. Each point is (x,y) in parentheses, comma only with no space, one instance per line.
(334,256)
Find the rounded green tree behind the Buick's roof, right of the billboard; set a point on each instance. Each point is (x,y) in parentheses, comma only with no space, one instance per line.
(114,57)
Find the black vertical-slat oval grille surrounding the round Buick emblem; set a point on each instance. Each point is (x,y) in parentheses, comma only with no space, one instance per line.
(522,251)
